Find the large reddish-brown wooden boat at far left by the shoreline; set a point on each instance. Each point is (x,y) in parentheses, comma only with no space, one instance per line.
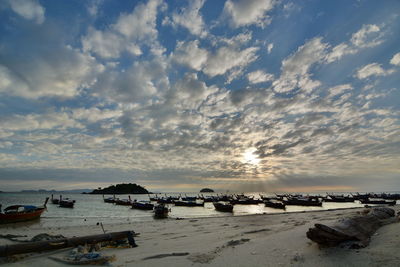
(21,213)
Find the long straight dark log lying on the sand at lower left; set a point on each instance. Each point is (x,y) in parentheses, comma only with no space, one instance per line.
(9,250)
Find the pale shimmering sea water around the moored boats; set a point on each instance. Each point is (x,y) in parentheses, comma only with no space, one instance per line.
(91,209)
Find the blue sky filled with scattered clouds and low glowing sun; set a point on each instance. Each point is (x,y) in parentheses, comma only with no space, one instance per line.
(239,95)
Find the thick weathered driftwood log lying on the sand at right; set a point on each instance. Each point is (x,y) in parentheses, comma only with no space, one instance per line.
(355,231)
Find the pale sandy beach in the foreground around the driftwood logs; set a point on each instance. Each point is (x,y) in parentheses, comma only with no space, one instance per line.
(254,240)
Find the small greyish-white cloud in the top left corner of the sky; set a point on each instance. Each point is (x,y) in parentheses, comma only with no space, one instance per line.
(29,9)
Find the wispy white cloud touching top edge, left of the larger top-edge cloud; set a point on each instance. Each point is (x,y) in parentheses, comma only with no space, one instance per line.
(190,18)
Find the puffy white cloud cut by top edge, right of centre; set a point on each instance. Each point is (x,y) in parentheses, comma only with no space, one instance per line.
(248,12)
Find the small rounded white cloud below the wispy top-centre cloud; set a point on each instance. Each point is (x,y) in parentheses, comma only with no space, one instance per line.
(190,54)
